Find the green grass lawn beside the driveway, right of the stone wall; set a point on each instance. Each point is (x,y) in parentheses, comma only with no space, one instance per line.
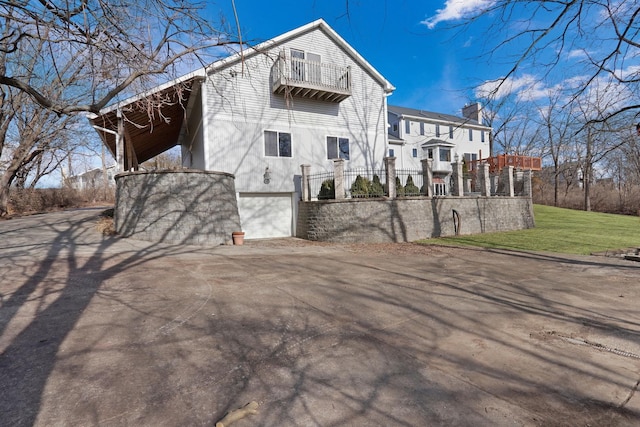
(561,230)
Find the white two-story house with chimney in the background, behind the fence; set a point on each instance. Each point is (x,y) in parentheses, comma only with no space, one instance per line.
(416,134)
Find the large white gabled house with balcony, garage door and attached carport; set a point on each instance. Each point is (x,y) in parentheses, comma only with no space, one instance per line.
(305,97)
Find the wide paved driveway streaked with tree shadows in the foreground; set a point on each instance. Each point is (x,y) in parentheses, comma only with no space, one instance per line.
(111,332)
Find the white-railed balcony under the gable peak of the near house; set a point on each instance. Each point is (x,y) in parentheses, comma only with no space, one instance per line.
(310,79)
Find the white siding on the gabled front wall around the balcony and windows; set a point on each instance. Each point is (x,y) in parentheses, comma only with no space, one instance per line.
(240,106)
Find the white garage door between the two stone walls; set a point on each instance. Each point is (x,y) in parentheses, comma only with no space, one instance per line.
(266,215)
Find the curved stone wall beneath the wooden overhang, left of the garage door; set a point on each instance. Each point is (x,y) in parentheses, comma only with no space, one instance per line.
(177,206)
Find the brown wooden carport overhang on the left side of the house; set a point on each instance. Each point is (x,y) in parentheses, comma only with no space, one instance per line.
(138,130)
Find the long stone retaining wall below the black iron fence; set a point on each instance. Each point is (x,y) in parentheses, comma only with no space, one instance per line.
(409,219)
